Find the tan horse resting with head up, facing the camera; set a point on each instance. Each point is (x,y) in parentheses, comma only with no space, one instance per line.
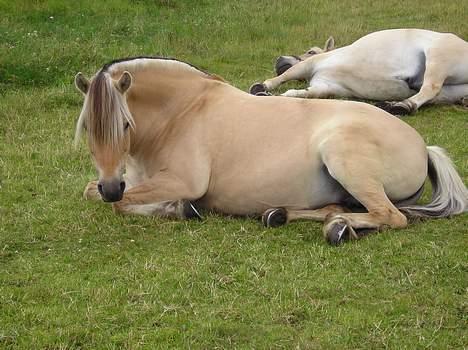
(190,141)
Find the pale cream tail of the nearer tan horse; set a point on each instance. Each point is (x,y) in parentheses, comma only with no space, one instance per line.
(449,194)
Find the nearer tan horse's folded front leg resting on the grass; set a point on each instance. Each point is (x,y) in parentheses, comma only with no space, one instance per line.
(166,196)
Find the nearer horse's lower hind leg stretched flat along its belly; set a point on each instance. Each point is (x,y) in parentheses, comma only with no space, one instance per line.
(275,217)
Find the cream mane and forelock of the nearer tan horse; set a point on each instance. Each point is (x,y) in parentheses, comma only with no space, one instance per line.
(105,109)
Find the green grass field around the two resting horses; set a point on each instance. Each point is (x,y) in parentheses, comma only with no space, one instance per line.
(75,276)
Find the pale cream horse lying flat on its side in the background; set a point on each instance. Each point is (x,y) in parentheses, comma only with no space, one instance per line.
(410,66)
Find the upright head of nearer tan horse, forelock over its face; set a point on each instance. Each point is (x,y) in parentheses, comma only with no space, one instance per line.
(107,121)
